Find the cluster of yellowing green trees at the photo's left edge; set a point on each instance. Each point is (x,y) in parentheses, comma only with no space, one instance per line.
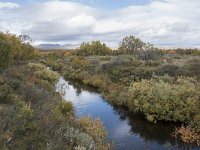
(14,49)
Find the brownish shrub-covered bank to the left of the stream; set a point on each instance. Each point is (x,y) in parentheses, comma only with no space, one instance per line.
(34,116)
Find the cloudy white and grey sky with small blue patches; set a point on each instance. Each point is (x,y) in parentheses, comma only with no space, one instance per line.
(170,23)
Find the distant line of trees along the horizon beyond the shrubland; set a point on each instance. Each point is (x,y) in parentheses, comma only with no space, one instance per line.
(130,45)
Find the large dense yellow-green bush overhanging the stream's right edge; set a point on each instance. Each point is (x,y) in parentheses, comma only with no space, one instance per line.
(159,100)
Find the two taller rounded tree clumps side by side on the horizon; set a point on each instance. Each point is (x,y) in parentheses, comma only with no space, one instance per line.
(129,45)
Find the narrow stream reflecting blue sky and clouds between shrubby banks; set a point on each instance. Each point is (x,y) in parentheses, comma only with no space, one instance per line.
(129,131)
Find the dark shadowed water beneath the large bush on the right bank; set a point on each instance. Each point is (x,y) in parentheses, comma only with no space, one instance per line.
(159,132)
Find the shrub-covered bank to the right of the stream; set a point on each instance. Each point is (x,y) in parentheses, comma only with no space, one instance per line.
(141,86)
